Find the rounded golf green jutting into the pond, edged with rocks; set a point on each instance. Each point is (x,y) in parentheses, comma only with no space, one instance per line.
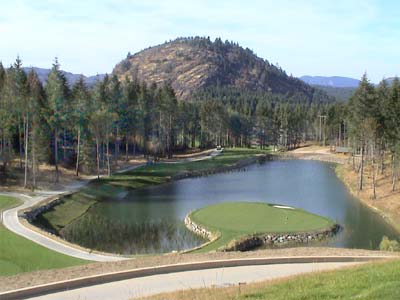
(235,220)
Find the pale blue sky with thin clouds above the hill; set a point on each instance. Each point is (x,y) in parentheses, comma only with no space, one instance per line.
(326,38)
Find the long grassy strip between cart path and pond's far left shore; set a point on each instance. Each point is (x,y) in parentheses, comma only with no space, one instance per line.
(74,206)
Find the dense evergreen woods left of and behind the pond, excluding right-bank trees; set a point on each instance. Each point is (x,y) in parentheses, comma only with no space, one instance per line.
(91,129)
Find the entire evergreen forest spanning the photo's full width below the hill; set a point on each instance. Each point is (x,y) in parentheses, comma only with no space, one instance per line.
(91,130)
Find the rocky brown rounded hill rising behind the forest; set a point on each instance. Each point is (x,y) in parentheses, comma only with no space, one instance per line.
(194,64)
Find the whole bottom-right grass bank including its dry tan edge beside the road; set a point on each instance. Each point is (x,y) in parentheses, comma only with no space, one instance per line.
(368,282)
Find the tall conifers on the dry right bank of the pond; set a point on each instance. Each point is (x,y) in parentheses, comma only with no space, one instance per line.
(369,125)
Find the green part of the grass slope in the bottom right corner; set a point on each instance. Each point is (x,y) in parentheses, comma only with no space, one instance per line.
(368,282)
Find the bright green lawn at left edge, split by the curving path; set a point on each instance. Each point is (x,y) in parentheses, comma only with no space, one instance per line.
(18,254)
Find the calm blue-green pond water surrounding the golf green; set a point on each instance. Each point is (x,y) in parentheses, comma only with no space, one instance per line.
(151,220)
